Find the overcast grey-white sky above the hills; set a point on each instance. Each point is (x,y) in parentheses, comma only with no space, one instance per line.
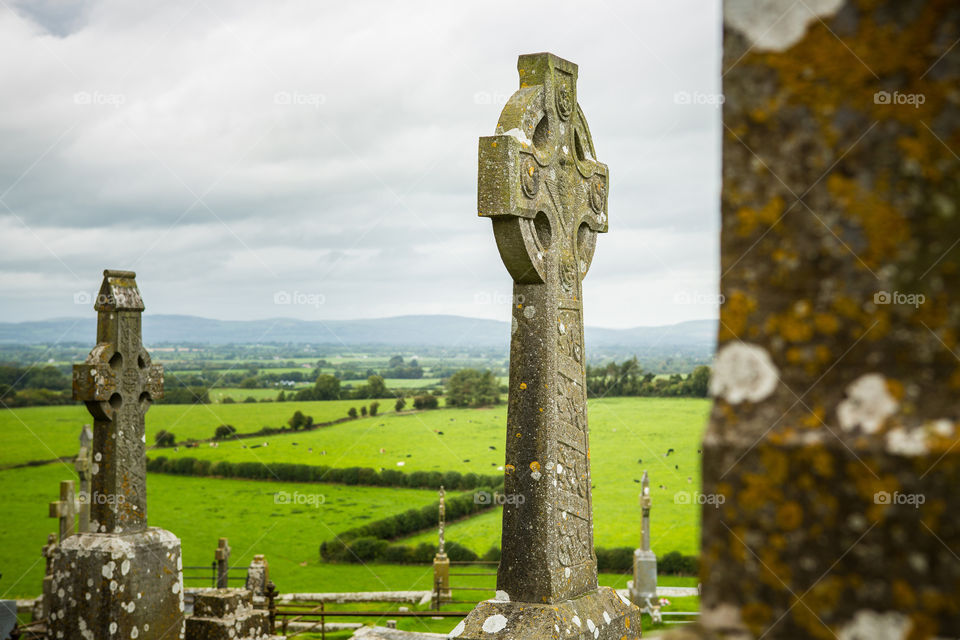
(229,151)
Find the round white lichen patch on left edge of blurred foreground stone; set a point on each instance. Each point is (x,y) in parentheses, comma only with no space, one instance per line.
(743,372)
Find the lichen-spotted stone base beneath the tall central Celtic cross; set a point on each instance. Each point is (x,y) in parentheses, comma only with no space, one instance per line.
(601,614)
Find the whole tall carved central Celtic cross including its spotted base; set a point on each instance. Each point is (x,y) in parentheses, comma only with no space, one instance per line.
(540,183)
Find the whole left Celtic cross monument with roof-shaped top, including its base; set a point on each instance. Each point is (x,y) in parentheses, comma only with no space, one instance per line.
(121,579)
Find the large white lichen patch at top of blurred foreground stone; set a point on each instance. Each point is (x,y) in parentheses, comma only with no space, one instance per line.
(775,25)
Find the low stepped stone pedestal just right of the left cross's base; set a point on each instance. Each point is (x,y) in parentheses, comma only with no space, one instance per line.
(227,614)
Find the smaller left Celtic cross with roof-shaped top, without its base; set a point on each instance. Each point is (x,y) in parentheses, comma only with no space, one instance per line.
(118,383)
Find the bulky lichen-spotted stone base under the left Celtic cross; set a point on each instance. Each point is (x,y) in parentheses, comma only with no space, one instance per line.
(117,586)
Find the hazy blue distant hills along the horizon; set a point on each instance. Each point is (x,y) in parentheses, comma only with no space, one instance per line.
(438,330)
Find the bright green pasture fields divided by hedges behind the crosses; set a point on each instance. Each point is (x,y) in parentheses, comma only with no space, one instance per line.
(624,431)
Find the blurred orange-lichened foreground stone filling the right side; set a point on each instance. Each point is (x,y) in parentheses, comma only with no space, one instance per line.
(833,437)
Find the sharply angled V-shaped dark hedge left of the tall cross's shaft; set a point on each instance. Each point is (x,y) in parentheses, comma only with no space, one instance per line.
(364,542)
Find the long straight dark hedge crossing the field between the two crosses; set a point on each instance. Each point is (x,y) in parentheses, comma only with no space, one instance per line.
(452,480)
